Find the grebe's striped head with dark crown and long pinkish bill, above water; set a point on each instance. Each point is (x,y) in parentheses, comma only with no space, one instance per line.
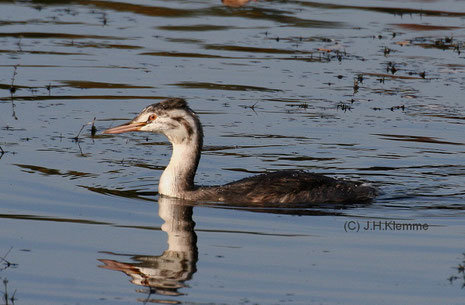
(172,117)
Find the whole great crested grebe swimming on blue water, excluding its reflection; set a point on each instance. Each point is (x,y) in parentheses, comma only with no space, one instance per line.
(182,127)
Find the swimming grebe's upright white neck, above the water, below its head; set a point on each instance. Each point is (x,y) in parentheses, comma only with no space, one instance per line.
(178,176)
